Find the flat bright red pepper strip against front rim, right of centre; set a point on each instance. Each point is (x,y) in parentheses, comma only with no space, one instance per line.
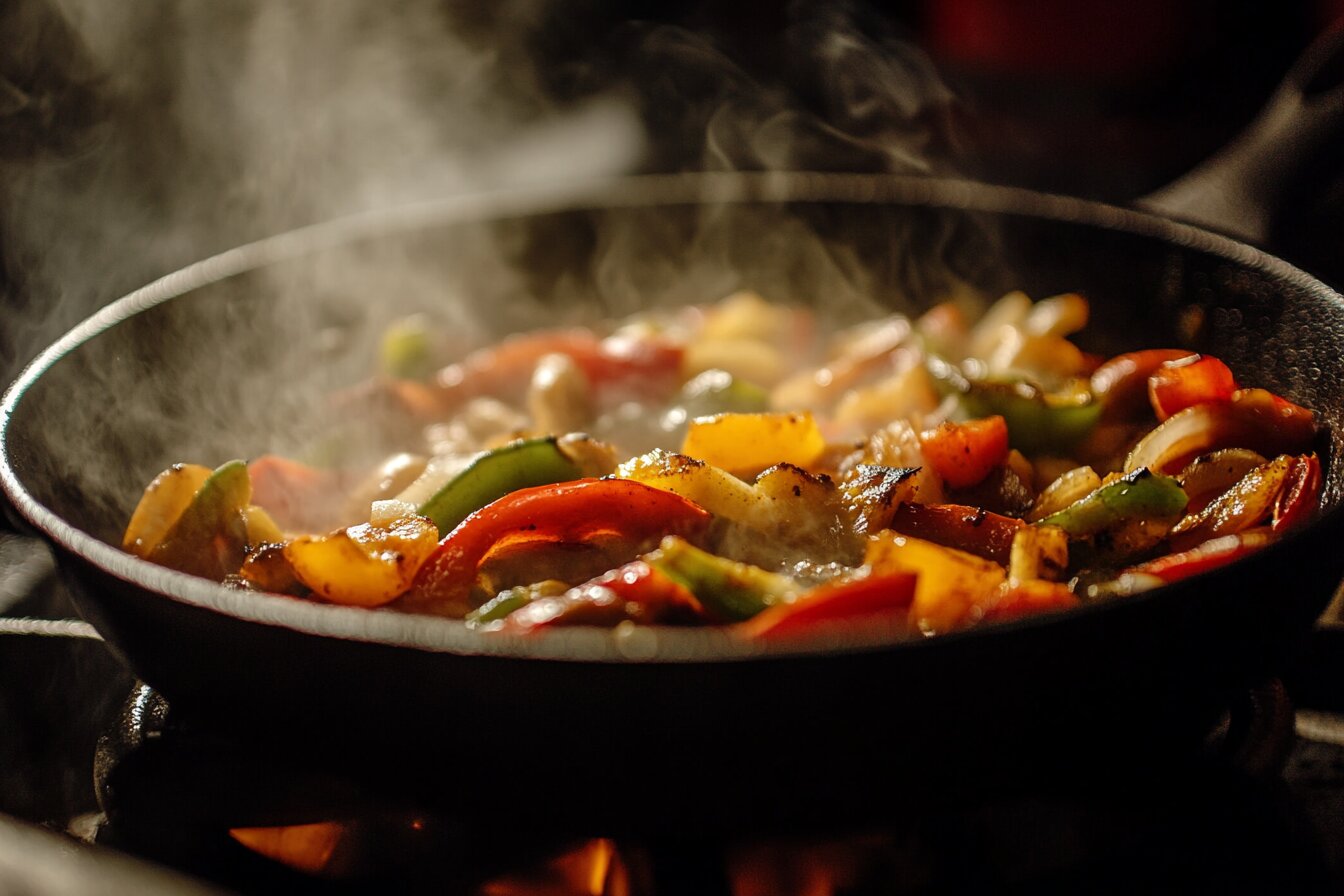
(874,600)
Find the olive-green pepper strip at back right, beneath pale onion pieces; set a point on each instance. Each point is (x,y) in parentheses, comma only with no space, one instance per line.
(1038,422)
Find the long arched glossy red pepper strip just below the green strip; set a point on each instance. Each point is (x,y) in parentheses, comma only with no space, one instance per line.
(569,512)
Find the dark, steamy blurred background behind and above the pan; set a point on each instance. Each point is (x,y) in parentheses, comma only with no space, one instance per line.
(139,138)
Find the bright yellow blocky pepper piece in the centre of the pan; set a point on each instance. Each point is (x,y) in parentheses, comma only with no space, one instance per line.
(747,444)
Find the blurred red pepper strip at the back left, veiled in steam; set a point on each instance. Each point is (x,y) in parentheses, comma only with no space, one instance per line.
(650,363)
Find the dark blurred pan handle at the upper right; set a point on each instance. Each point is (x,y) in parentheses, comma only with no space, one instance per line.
(1298,140)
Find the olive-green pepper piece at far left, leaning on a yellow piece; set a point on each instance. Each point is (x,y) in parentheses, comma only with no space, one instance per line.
(210,538)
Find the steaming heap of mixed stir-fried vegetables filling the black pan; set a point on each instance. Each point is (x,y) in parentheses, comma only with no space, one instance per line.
(729,465)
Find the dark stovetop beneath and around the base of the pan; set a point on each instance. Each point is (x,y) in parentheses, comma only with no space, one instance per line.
(1260,808)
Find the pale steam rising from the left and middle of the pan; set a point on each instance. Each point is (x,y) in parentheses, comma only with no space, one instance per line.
(151,135)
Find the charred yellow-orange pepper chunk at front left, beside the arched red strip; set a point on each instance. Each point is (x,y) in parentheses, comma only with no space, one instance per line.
(366,565)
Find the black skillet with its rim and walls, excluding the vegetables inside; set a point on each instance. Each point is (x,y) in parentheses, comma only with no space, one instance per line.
(674,730)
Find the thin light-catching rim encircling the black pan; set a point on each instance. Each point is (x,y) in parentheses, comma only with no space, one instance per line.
(583,645)
